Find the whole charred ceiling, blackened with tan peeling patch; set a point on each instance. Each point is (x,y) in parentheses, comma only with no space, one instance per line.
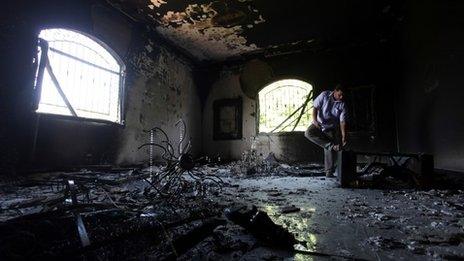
(216,31)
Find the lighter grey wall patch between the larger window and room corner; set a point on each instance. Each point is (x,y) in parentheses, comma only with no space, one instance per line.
(160,98)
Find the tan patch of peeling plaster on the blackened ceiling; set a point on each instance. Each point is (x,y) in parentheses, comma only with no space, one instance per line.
(208,34)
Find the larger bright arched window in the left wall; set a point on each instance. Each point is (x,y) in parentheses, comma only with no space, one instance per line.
(83,78)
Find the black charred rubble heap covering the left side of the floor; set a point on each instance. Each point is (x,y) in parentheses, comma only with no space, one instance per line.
(116,215)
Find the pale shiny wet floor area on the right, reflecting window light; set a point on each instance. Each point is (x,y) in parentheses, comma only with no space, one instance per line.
(361,223)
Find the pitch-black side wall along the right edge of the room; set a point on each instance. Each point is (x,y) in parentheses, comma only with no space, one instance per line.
(432,60)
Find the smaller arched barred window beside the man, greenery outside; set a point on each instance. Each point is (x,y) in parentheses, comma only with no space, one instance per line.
(283,104)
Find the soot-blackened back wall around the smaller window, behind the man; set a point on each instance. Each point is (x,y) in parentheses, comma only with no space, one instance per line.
(351,65)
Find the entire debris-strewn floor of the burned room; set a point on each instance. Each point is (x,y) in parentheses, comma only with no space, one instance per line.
(122,216)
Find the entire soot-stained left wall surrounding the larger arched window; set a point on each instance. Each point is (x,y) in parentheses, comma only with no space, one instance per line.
(159,90)
